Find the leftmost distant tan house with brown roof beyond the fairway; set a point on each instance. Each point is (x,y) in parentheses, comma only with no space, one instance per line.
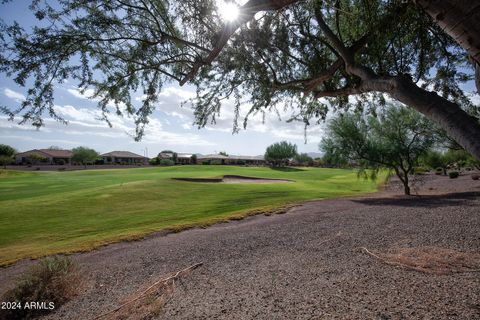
(44,156)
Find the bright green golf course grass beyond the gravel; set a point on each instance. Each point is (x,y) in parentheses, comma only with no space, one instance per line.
(43,213)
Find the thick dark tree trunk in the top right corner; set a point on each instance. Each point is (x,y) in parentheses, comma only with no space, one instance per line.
(460,19)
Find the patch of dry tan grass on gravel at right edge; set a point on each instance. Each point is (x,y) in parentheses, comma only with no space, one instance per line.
(433,260)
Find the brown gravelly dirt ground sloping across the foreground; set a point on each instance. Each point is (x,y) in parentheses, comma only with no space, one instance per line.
(332,259)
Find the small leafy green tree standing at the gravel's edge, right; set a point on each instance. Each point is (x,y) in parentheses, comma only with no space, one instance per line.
(395,139)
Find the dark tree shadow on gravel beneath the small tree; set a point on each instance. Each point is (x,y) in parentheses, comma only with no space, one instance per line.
(427,201)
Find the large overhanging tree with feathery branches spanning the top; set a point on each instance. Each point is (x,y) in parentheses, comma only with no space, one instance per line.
(308,55)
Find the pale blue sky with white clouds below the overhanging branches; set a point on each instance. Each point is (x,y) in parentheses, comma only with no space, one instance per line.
(170,126)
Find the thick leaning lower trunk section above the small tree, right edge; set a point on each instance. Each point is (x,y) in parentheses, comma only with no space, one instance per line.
(458,124)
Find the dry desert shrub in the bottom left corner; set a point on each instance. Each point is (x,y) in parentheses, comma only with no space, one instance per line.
(51,282)
